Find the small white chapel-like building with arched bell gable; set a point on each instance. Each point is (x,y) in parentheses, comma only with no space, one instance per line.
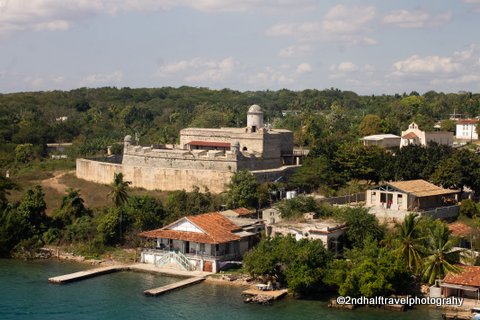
(414,136)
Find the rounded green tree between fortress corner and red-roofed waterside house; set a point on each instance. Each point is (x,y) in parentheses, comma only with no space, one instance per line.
(242,190)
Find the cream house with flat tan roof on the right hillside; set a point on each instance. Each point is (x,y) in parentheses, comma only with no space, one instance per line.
(394,200)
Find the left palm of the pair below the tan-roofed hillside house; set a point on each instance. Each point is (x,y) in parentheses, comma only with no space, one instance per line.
(410,243)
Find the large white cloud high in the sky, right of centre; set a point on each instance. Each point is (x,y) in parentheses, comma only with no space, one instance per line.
(341,24)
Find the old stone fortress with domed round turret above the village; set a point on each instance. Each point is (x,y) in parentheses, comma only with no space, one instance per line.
(205,158)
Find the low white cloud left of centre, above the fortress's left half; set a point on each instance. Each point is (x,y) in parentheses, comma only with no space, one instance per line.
(199,69)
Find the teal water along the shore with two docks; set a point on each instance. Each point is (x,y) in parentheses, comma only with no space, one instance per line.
(26,294)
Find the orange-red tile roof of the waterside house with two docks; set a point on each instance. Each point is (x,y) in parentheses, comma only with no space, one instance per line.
(217,228)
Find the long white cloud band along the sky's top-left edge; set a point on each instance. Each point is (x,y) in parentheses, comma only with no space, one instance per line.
(55,15)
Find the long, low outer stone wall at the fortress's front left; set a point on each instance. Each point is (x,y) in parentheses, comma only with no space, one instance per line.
(152,178)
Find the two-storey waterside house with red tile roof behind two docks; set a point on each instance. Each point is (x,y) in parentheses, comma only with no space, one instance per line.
(203,242)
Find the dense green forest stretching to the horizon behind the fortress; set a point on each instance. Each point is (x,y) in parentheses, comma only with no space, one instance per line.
(94,118)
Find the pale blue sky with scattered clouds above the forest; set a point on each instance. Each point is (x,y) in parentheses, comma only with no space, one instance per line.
(369,46)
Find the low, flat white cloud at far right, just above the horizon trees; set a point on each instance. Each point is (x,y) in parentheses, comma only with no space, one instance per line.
(429,64)
